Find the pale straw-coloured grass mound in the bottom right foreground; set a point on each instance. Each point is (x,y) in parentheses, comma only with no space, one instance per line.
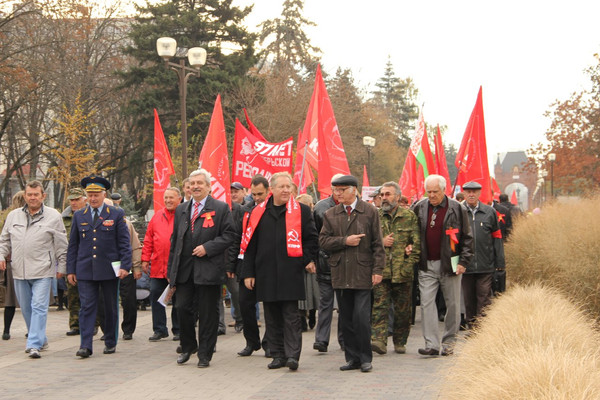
(534,343)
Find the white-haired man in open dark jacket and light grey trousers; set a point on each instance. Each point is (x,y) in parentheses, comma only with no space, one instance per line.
(446,250)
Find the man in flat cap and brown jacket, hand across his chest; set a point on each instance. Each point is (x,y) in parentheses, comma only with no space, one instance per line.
(351,234)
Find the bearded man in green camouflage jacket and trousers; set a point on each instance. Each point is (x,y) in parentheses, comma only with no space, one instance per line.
(401,240)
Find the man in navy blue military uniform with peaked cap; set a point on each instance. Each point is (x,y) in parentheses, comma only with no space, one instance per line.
(99,255)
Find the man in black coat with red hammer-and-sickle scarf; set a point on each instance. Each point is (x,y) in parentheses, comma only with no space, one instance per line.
(279,243)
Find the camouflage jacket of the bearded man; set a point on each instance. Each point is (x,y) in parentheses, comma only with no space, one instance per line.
(405,228)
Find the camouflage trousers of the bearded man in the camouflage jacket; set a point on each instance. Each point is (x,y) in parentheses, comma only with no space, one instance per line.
(399,296)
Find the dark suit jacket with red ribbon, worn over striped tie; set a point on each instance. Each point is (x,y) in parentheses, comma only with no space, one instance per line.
(216,239)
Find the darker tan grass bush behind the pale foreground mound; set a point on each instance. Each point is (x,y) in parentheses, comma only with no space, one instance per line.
(559,247)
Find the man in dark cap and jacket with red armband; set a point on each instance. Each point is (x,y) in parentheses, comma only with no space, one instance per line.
(488,249)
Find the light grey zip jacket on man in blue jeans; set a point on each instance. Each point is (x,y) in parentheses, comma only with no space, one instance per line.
(35,246)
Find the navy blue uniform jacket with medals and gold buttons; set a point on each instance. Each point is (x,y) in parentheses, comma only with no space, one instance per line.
(93,247)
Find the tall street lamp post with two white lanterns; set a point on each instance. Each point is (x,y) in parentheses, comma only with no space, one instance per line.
(166,47)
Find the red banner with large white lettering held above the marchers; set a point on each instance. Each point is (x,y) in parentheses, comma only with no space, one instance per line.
(252,156)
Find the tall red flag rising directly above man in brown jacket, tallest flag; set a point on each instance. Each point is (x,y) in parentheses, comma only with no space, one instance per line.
(321,124)
